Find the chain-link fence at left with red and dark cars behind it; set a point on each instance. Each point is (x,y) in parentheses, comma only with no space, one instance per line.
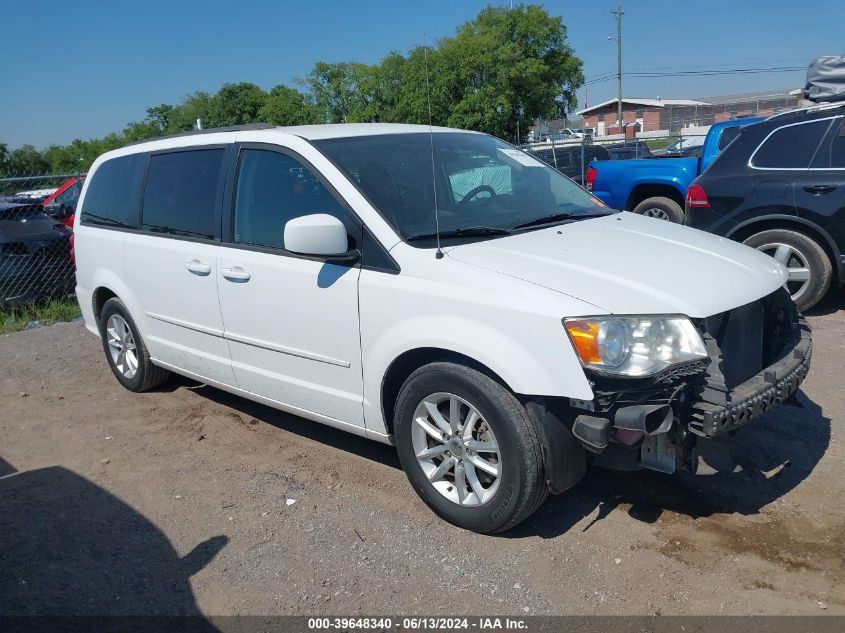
(36,219)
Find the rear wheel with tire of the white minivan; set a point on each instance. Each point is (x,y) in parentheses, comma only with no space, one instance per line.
(125,350)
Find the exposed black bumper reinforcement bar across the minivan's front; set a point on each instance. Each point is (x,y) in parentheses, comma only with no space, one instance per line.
(759,394)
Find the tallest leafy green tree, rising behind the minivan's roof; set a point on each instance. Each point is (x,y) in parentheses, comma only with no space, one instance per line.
(505,68)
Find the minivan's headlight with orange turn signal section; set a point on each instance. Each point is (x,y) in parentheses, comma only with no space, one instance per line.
(634,345)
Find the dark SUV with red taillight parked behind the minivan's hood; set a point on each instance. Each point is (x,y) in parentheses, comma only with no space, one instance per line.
(780,187)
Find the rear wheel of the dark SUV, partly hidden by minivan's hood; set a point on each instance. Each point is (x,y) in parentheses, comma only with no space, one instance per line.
(810,269)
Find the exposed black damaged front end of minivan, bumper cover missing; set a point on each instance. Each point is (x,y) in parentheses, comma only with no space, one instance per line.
(661,423)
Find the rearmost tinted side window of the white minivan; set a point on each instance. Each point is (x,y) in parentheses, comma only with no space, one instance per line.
(114,194)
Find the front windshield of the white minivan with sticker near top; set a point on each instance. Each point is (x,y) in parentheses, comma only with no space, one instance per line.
(481,182)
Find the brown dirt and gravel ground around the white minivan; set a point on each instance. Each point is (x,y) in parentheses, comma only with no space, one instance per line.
(188,500)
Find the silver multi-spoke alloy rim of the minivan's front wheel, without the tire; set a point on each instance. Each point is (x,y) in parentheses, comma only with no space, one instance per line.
(456,449)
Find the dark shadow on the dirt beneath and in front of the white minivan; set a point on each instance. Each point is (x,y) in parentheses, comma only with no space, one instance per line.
(774,455)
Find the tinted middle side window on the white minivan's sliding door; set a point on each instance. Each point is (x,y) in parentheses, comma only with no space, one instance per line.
(181,193)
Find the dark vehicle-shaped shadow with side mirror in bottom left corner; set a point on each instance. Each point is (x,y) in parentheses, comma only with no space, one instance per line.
(70,548)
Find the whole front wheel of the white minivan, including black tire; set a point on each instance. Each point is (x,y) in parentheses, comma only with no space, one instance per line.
(469,448)
